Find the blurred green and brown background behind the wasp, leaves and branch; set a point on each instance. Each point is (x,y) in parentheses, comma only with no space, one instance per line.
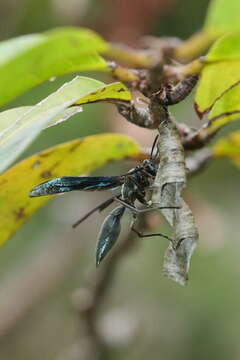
(144,314)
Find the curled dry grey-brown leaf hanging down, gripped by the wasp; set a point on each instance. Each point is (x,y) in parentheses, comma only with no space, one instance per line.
(170,180)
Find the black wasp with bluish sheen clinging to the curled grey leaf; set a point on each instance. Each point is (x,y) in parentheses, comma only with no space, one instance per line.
(133,185)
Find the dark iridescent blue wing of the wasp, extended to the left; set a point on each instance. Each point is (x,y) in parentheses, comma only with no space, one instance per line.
(71,183)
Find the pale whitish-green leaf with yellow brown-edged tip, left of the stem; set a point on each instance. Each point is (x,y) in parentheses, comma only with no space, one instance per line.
(26,127)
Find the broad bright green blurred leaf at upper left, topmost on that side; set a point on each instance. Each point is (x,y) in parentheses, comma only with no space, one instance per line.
(30,60)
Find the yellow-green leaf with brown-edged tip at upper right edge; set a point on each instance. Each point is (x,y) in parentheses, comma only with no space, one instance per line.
(220,74)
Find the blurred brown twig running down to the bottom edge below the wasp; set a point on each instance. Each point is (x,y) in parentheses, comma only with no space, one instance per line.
(88,302)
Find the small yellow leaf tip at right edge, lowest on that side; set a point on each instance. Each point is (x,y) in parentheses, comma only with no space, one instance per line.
(228,147)
